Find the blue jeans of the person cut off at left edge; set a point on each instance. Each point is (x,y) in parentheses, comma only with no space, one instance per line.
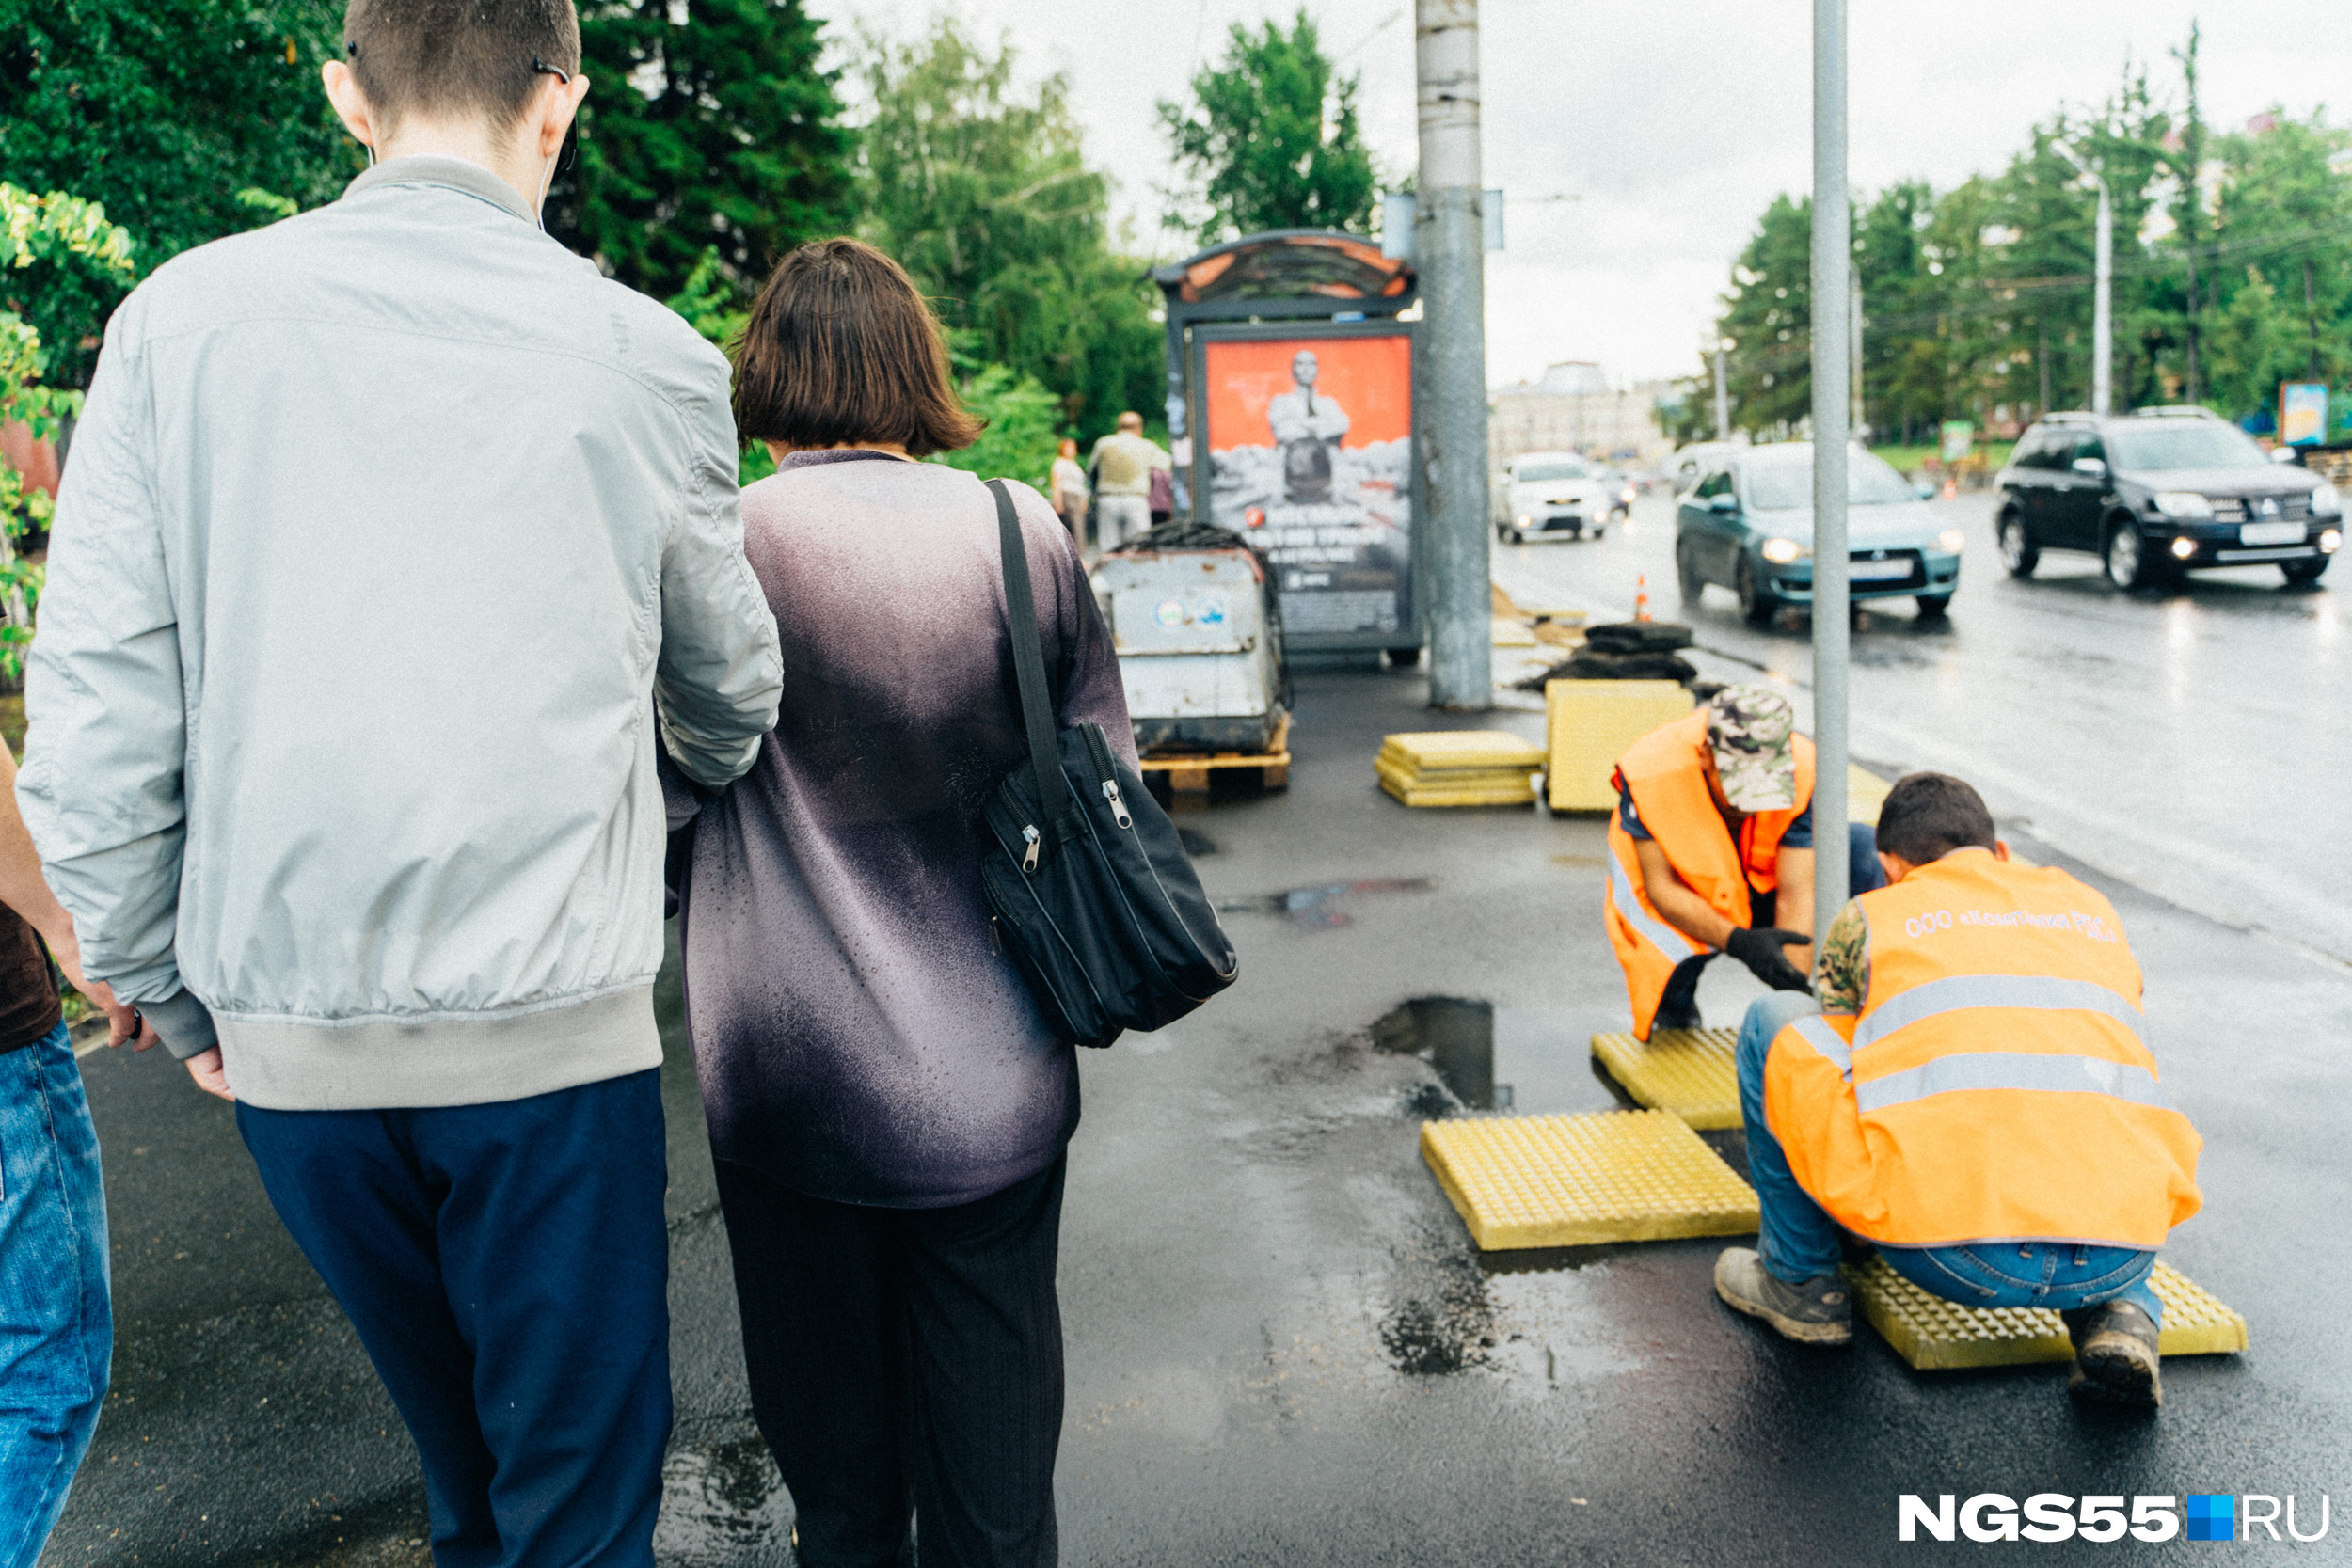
(58,1329)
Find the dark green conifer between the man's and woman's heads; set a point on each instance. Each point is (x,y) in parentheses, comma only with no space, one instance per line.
(709,126)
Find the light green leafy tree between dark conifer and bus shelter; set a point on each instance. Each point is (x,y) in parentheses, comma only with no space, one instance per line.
(984,196)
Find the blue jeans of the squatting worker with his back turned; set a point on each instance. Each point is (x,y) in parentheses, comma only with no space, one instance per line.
(1798,1240)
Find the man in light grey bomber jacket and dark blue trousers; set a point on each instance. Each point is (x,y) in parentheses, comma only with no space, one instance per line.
(394,547)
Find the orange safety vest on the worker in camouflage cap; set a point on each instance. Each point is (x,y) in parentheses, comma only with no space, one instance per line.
(1669,784)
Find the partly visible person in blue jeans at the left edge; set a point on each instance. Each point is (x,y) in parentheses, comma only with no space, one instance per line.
(58,1329)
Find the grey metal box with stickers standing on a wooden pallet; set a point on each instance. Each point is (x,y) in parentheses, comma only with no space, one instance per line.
(1201,648)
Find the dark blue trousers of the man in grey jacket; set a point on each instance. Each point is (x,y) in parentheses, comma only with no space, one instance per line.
(507,1268)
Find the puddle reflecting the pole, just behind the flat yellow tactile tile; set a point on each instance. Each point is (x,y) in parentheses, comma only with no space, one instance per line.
(1514,1059)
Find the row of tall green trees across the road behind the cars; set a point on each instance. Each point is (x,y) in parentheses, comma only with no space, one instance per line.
(2231,276)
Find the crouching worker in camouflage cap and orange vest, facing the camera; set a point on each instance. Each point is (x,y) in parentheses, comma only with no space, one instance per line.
(1711,850)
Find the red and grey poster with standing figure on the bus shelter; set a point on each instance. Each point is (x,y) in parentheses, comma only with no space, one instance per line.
(1311,445)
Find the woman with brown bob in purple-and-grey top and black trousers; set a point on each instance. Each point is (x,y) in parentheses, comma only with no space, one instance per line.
(888,1108)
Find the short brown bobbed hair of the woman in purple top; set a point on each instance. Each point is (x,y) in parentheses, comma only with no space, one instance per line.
(841,349)
